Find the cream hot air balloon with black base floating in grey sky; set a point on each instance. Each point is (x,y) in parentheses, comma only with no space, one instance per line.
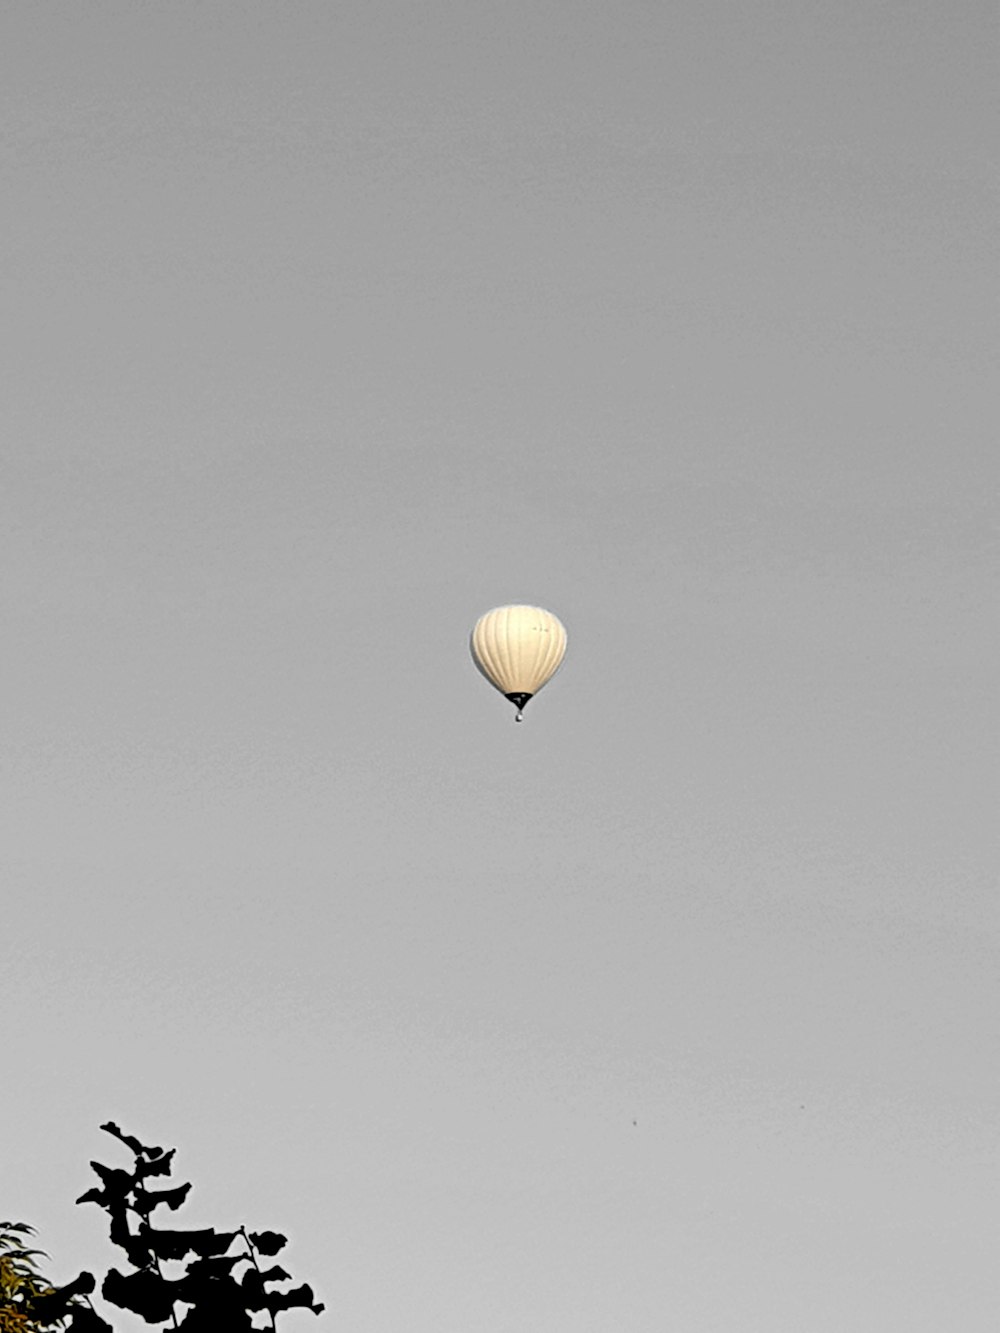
(518,650)
